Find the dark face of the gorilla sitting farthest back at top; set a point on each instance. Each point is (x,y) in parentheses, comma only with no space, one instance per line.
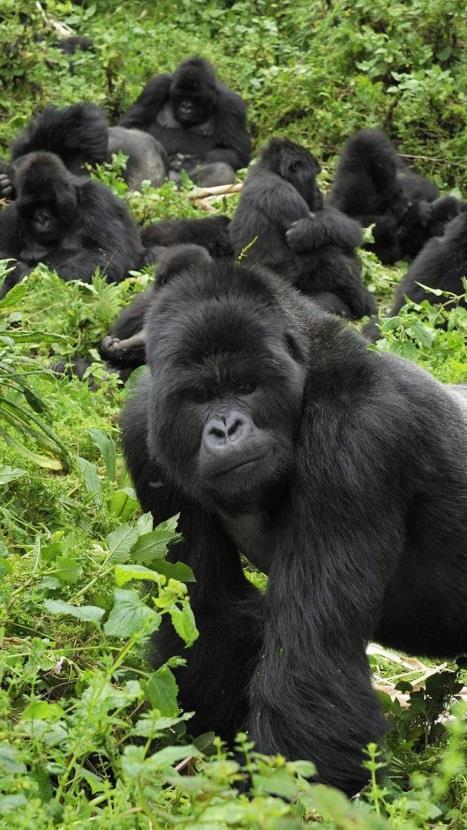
(192,96)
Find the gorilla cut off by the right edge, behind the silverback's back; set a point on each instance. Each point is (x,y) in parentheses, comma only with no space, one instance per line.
(441,264)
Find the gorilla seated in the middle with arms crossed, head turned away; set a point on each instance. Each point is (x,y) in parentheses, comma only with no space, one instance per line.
(280,222)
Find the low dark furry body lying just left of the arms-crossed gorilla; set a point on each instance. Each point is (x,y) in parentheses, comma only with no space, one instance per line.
(211,232)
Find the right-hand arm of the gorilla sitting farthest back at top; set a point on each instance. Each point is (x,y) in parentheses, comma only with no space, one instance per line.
(233,144)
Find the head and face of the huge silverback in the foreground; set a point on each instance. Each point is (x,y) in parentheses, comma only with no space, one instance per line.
(227,389)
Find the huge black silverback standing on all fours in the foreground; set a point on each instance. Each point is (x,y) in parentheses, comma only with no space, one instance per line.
(341,472)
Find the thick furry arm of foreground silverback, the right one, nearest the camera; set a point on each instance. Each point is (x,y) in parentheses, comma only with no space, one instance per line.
(325,596)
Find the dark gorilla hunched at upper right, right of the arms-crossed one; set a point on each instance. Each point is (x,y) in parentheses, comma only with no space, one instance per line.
(374,185)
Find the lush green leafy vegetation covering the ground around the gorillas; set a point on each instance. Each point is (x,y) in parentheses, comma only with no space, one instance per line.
(90,735)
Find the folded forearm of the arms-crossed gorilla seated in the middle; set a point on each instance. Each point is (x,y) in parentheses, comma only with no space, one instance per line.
(326,227)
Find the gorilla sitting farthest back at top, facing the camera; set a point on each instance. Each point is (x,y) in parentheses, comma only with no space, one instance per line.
(200,122)
